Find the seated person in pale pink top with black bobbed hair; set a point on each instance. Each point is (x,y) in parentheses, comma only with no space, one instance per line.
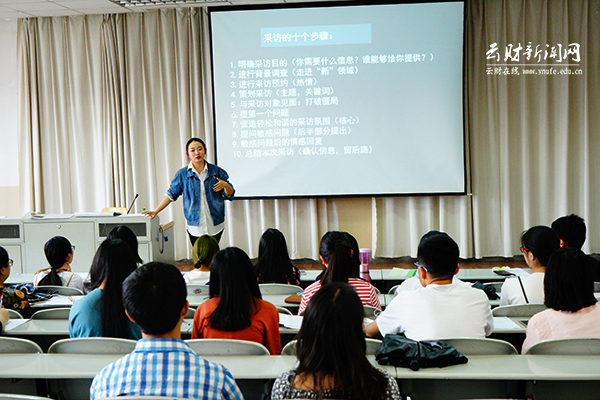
(569,295)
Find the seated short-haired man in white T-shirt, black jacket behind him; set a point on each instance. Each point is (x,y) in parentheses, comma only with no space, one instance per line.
(440,309)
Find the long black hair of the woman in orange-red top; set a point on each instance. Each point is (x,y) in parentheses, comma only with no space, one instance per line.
(233,281)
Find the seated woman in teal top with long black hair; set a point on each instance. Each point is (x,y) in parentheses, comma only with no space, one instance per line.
(101,312)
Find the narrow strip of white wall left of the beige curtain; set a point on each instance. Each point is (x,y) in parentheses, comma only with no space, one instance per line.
(9,171)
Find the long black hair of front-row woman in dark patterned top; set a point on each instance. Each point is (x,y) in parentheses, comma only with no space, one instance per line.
(331,345)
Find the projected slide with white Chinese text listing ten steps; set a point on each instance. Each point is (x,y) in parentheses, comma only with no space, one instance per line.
(340,100)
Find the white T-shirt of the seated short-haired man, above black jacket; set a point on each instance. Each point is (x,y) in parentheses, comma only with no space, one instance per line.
(438,312)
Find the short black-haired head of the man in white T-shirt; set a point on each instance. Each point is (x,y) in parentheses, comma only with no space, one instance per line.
(438,252)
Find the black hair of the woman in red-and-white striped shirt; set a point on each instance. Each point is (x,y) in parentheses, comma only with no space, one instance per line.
(336,250)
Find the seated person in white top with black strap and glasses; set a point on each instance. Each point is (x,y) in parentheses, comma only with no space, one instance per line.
(537,244)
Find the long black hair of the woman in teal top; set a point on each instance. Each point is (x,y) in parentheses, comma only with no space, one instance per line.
(112,263)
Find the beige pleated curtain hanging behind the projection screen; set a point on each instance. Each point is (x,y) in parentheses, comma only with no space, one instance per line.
(107,104)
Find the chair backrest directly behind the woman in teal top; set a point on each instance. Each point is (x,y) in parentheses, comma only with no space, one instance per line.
(93,345)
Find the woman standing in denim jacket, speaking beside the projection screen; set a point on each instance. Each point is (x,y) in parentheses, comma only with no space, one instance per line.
(204,187)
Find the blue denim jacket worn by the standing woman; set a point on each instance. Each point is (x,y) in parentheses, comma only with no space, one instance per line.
(187,183)
